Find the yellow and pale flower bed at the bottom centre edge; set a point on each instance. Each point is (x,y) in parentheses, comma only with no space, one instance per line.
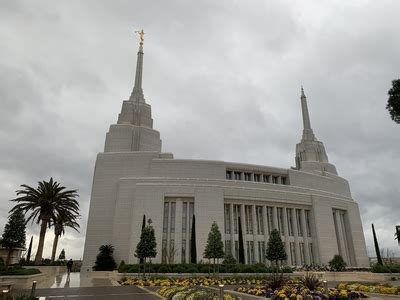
(190,293)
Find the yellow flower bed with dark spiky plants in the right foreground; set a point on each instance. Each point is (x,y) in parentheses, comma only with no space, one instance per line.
(297,292)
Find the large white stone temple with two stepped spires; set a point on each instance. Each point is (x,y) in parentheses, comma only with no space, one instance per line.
(310,205)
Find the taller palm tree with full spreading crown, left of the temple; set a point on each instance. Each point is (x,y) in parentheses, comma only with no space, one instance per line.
(45,203)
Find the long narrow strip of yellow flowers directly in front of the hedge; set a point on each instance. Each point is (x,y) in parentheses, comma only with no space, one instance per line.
(193,281)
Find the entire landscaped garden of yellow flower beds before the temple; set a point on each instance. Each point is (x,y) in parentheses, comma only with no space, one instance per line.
(271,286)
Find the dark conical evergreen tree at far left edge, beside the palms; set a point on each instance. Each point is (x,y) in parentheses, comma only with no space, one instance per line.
(14,233)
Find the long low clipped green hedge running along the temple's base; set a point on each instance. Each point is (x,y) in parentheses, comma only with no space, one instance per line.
(197,268)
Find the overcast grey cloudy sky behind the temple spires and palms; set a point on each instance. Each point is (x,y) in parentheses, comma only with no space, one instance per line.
(223,79)
